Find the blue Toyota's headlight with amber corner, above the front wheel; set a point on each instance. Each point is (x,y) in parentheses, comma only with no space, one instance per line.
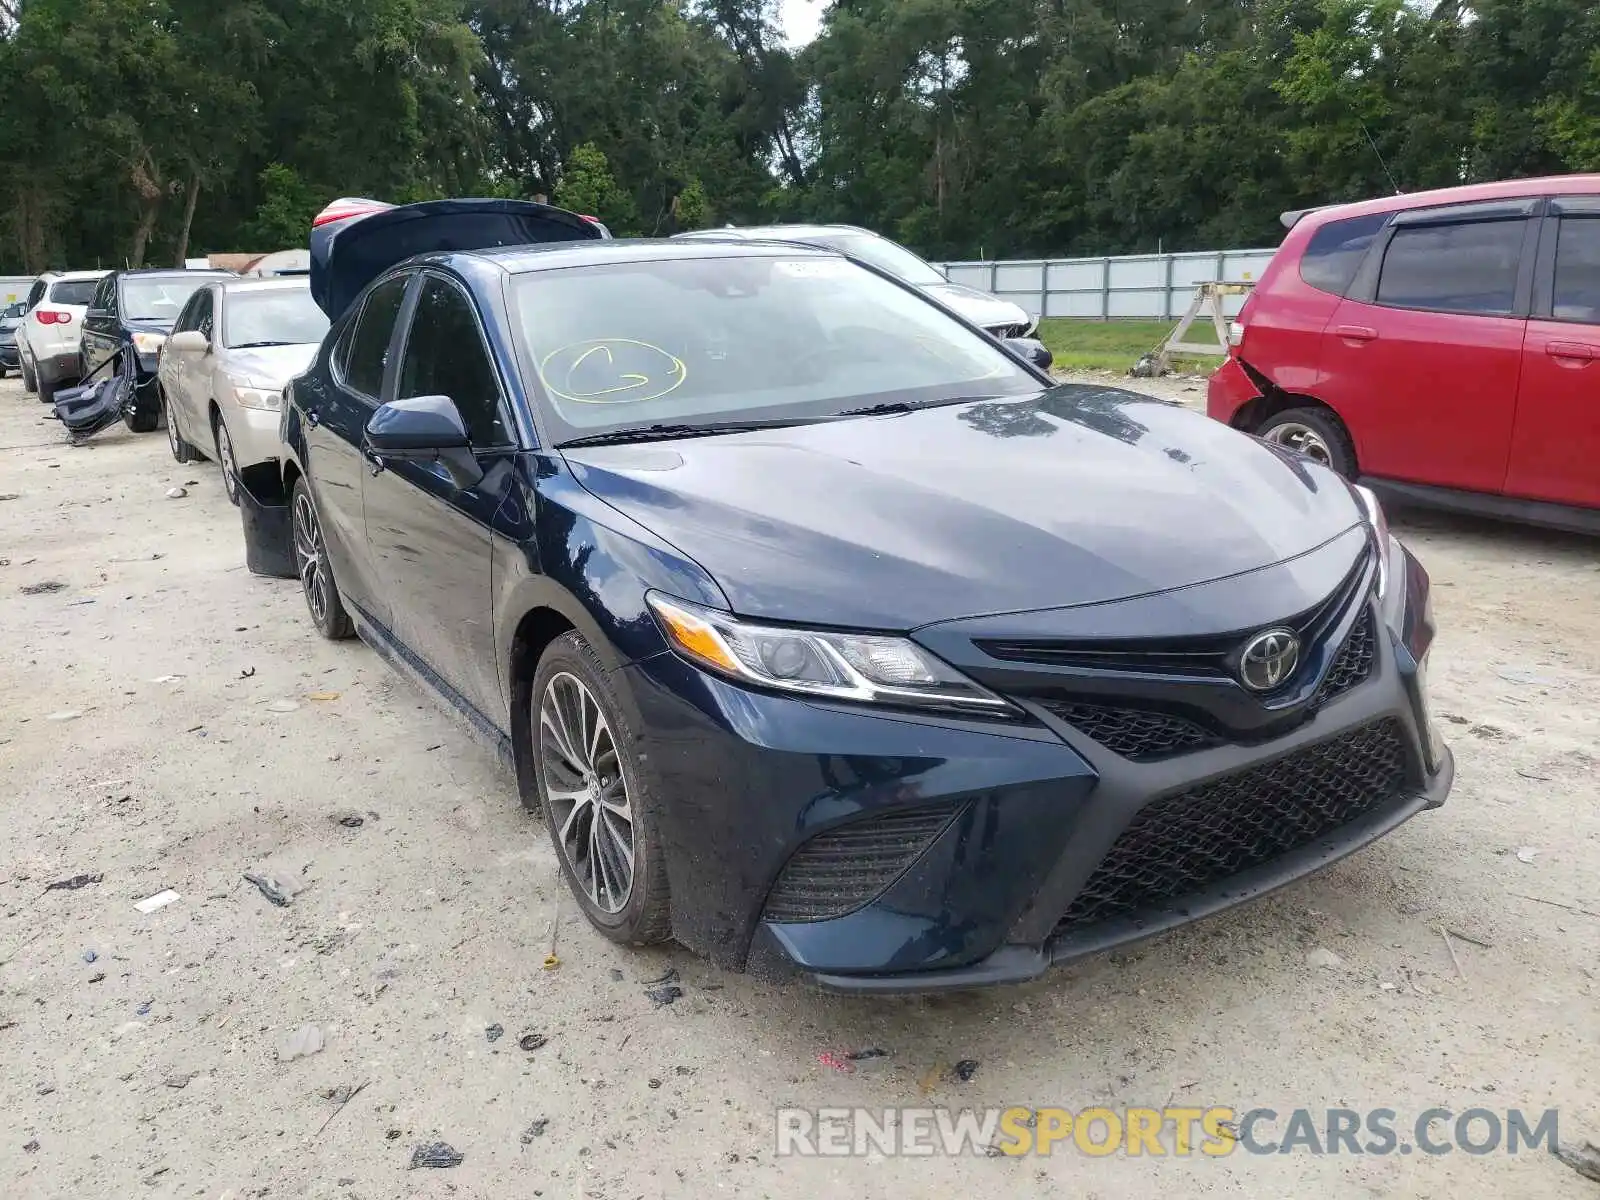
(839,666)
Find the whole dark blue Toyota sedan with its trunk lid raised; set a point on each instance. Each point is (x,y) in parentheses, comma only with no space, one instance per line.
(825,630)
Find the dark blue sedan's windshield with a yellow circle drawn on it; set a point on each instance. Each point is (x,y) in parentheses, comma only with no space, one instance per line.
(713,340)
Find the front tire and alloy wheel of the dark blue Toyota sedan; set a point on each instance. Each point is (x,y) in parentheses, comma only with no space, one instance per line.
(593,793)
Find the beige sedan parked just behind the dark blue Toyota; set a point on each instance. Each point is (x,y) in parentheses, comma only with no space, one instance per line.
(223,370)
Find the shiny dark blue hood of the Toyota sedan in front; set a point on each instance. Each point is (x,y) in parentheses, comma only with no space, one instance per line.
(1076,497)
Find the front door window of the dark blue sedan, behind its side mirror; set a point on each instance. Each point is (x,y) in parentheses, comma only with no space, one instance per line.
(446,356)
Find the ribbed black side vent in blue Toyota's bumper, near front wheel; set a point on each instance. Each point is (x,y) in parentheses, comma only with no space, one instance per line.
(847,868)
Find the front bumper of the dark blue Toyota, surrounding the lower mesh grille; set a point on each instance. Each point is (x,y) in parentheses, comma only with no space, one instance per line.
(750,785)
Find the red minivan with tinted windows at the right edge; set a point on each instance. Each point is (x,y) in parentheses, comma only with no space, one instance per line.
(1444,346)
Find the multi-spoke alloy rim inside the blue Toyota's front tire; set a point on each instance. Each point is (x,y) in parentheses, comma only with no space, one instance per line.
(585,793)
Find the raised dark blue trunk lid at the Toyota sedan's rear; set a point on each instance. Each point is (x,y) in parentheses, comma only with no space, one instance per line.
(353,242)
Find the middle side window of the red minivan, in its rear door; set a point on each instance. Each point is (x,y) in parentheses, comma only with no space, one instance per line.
(1465,268)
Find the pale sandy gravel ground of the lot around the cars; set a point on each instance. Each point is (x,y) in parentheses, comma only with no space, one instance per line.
(140,1054)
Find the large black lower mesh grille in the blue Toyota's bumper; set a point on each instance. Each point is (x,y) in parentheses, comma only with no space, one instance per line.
(1185,842)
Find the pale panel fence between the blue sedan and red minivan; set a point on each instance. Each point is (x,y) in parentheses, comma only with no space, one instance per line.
(1156,287)
